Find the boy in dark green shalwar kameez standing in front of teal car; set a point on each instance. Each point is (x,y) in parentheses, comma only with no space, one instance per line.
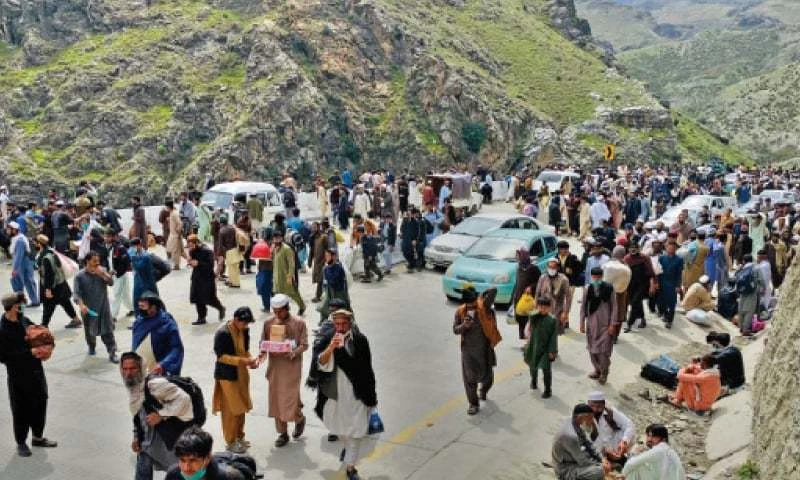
(542,347)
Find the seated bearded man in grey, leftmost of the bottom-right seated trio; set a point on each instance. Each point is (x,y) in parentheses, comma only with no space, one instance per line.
(574,455)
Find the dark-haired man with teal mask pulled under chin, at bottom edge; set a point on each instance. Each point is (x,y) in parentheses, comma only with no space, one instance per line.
(196,462)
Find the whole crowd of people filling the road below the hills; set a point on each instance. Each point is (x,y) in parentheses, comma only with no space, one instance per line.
(706,265)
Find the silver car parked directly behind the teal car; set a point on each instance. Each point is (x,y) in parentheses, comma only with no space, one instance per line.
(444,249)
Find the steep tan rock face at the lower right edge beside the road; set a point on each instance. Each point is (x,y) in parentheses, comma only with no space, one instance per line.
(776,392)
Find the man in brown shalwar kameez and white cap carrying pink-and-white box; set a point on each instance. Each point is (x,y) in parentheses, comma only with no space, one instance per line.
(285,370)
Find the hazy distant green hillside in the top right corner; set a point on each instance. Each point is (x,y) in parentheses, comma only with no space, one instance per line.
(710,59)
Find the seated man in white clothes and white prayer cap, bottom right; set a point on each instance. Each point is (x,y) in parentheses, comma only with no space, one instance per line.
(615,431)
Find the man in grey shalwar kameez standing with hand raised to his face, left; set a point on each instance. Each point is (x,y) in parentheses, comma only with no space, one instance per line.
(91,293)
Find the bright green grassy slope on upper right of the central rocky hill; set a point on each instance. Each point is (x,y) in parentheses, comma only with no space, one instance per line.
(539,68)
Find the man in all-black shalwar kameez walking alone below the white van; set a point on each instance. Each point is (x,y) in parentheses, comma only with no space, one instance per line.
(203,288)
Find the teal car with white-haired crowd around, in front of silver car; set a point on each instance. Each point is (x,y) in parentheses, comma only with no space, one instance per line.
(492,262)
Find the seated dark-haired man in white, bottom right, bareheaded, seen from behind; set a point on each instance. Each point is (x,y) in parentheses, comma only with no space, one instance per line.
(659,463)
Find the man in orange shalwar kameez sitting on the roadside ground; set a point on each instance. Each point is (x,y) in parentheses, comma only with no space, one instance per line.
(699,386)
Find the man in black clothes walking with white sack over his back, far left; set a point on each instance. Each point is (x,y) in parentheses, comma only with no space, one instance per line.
(53,286)
